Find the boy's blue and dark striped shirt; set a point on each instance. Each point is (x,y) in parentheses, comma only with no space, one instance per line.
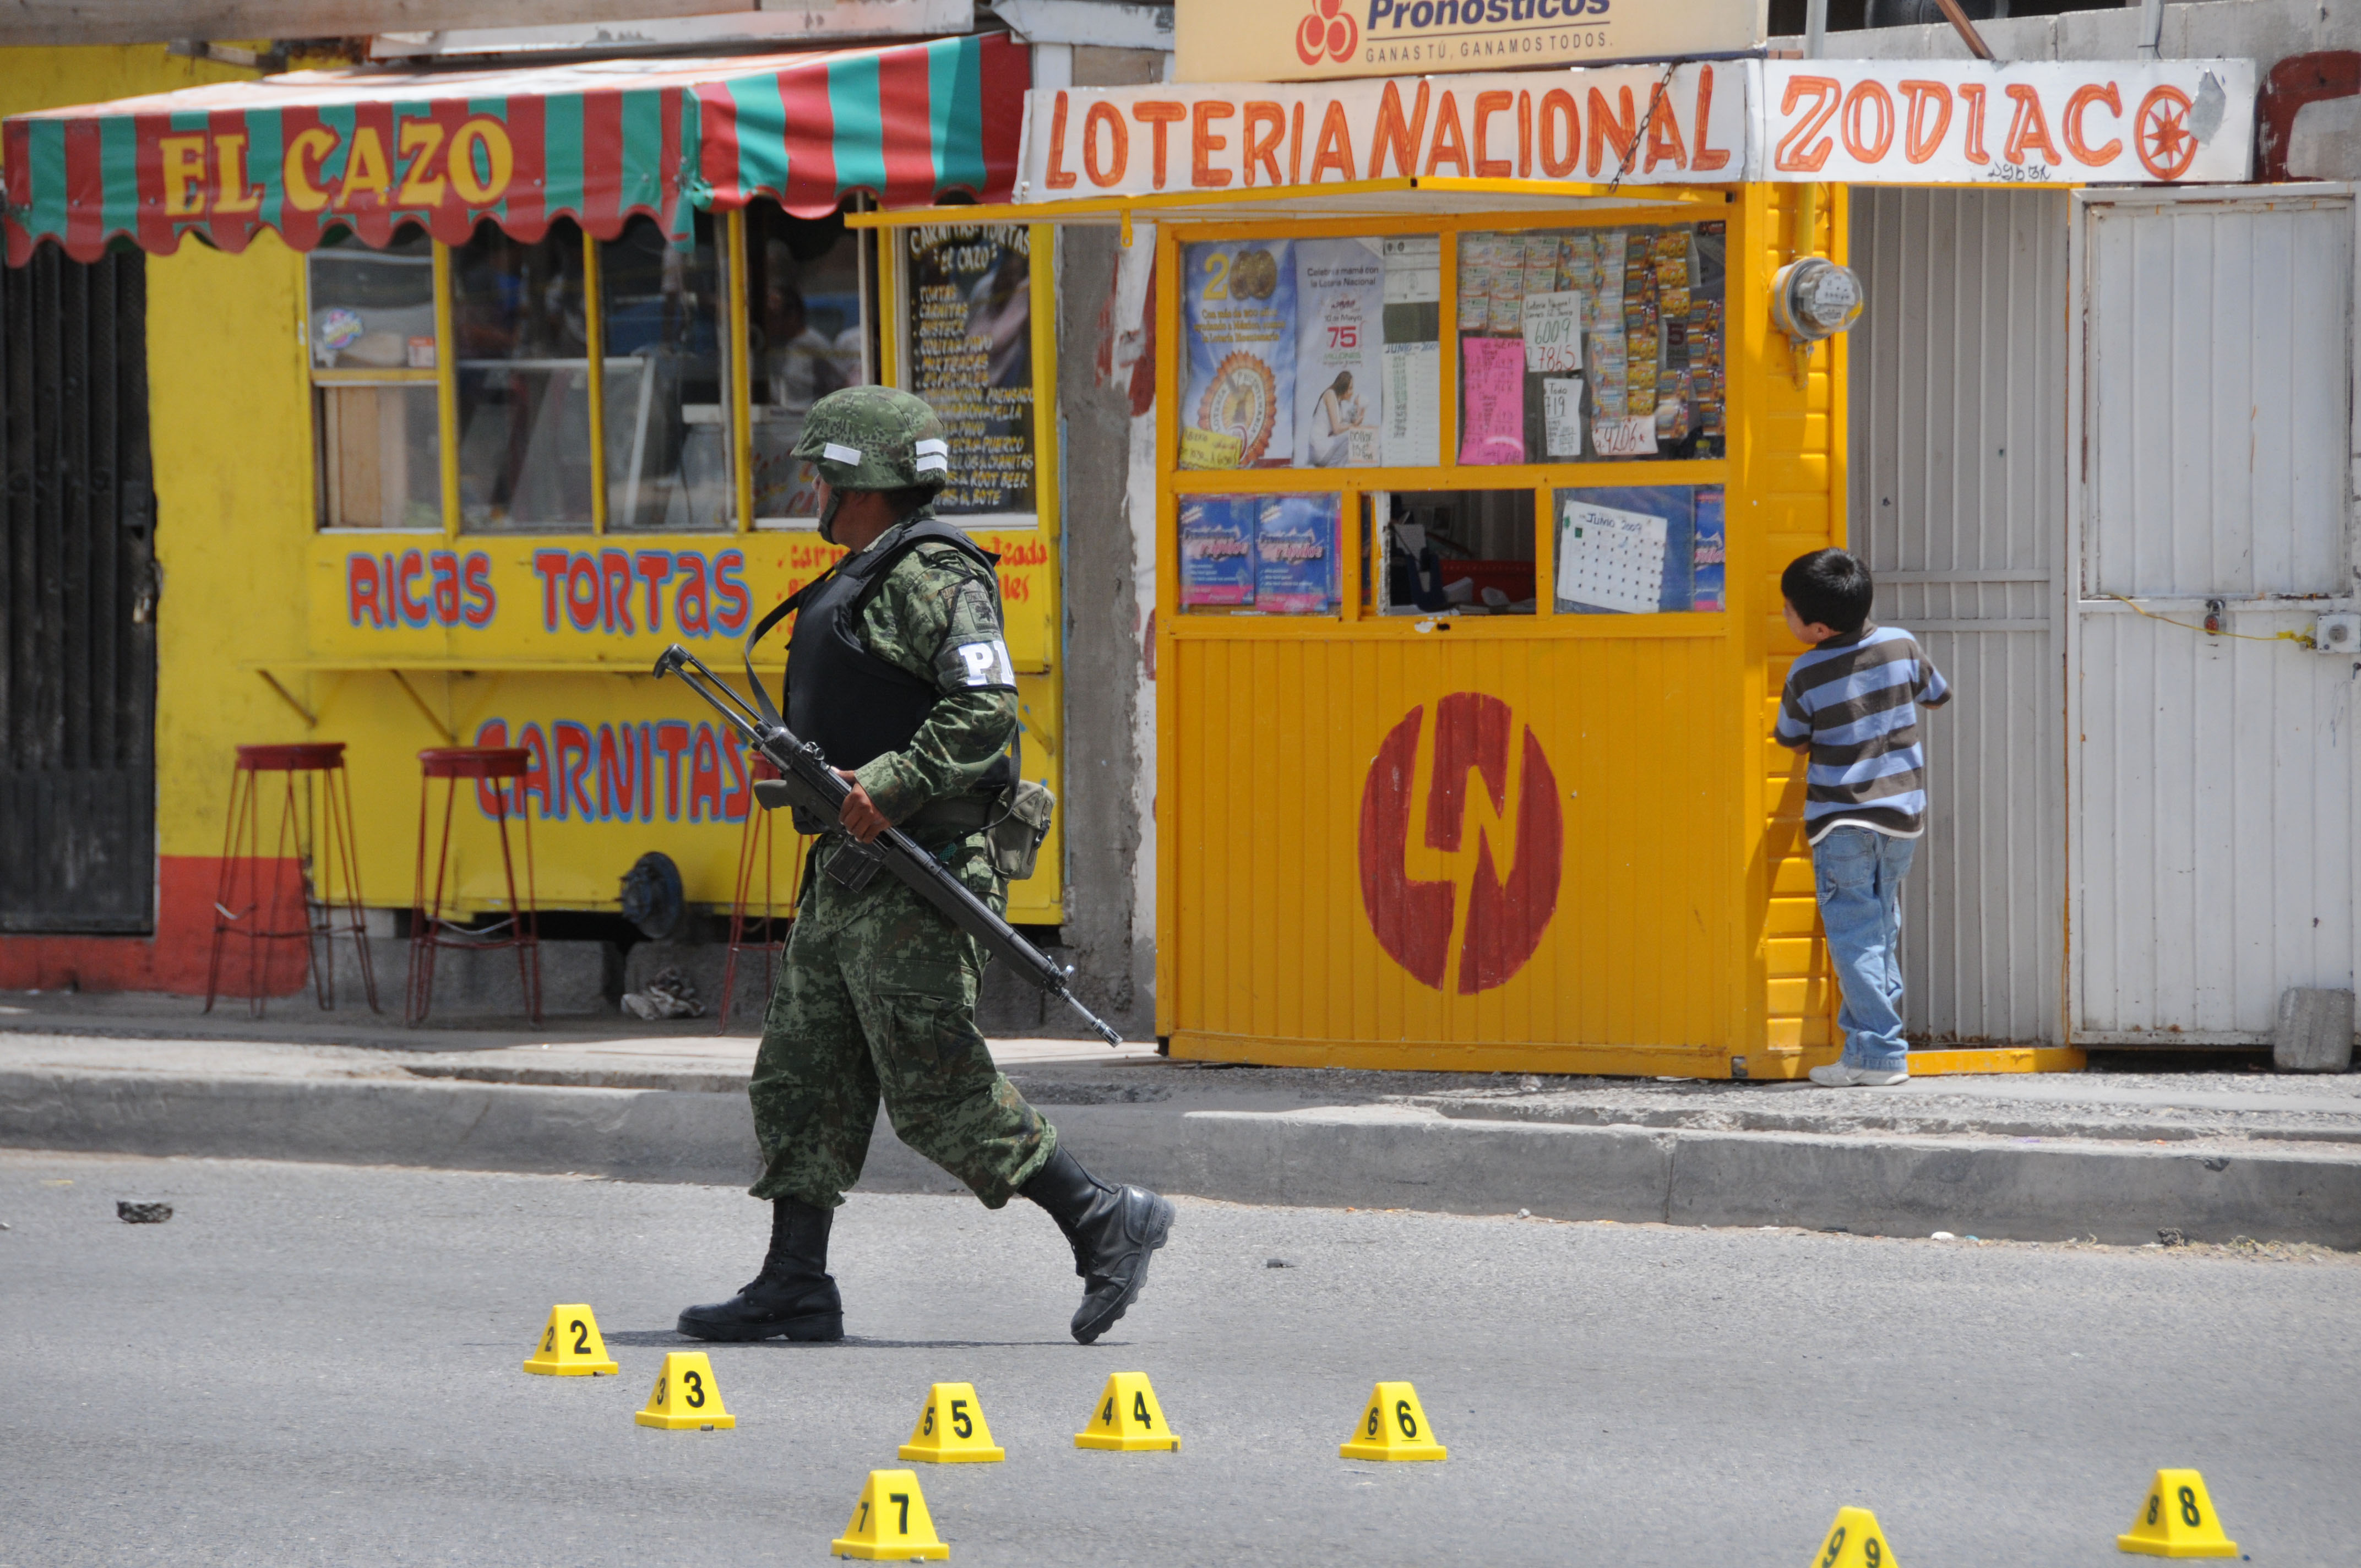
(1855,705)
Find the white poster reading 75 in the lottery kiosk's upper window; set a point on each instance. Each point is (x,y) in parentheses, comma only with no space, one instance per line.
(1340,353)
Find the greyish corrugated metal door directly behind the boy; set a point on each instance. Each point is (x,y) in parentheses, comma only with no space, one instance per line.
(1958,502)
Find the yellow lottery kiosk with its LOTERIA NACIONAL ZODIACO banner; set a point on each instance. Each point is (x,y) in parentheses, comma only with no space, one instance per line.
(1489,412)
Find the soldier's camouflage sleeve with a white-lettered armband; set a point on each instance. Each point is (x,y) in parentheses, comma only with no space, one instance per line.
(941,620)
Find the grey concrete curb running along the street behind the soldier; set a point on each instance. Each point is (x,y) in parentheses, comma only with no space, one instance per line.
(1361,1156)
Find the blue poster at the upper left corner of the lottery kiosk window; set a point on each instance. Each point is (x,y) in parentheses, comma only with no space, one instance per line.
(1241,405)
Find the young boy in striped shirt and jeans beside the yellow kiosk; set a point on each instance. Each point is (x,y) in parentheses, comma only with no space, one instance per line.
(1855,705)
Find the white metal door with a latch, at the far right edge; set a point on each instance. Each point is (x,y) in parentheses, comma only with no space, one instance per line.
(2211,785)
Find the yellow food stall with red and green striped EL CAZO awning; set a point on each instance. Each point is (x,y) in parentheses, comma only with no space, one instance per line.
(471,391)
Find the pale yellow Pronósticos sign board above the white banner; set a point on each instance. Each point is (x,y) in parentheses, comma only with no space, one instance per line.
(1297,41)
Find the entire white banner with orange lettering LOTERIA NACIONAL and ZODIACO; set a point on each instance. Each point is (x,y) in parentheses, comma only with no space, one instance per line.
(1845,122)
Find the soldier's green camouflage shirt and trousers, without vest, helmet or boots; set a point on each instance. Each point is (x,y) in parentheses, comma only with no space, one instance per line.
(879,988)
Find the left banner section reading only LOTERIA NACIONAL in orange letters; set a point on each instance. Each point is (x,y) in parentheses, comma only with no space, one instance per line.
(1576,126)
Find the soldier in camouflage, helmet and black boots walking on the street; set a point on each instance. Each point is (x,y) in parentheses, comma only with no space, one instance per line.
(901,677)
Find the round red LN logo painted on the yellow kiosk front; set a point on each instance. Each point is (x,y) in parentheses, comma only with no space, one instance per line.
(1505,920)
